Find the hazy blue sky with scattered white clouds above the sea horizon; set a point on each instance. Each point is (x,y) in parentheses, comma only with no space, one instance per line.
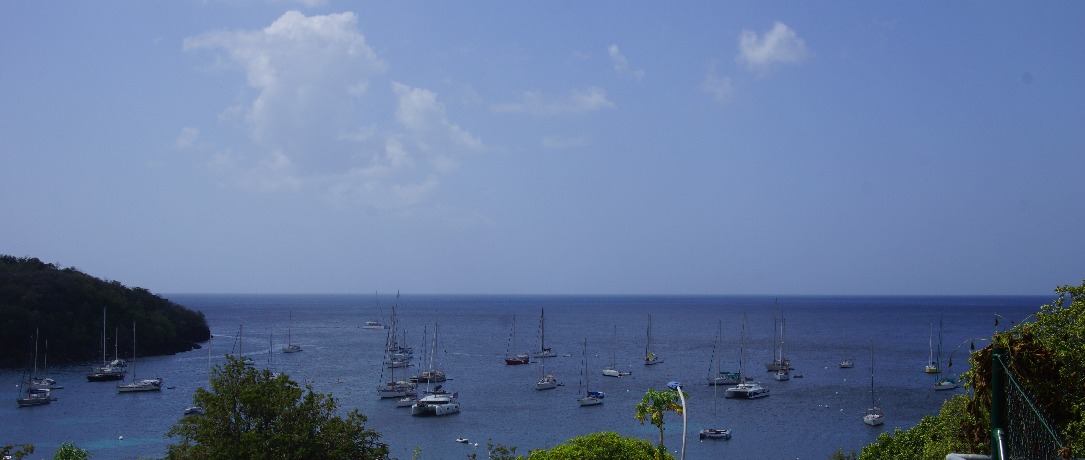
(645,148)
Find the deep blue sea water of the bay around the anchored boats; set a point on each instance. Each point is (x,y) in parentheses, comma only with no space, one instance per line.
(805,418)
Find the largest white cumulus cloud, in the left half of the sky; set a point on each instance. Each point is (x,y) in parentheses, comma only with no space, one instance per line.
(318,120)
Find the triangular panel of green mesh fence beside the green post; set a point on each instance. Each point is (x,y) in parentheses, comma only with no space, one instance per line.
(1027,435)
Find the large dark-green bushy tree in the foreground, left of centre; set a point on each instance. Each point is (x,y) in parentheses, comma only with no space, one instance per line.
(254,415)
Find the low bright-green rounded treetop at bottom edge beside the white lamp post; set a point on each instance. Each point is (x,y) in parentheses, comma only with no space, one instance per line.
(602,446)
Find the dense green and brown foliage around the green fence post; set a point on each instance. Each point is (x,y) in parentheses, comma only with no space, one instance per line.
(1043,355)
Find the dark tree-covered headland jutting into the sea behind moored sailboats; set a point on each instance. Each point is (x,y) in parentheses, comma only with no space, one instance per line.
(66,306)
